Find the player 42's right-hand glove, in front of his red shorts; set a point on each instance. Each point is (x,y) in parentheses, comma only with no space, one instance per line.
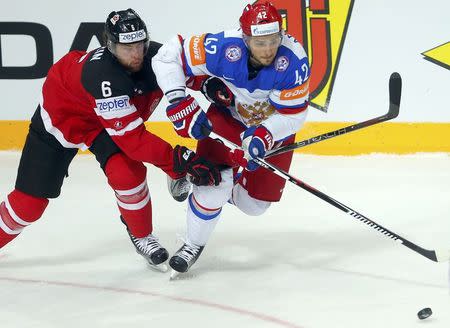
(256,141)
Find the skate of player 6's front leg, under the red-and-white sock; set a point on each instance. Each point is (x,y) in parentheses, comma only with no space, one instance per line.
(152,251)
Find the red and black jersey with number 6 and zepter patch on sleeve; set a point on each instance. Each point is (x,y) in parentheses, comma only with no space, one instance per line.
(85,93)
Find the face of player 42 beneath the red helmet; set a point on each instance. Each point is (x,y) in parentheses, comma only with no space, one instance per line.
(264,48)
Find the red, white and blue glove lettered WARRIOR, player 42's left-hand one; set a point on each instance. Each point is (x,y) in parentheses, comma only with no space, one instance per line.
(188,119)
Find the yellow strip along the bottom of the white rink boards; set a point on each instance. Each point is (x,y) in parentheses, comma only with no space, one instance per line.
(391,137)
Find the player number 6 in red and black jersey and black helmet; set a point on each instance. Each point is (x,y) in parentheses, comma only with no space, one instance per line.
(99,101)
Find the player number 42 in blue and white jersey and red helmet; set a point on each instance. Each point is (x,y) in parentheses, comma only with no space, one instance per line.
(257,79)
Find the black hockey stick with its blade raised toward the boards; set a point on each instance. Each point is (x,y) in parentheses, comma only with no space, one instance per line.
(395,91)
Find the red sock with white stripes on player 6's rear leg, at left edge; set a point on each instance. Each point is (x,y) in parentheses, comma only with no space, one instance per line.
(18,211)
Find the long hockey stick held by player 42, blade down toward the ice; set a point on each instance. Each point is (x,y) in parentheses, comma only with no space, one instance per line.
(434,255)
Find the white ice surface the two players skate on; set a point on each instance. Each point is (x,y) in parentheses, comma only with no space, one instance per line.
(302,264)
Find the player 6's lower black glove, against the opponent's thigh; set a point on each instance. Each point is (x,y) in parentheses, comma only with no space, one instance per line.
(201,171)
